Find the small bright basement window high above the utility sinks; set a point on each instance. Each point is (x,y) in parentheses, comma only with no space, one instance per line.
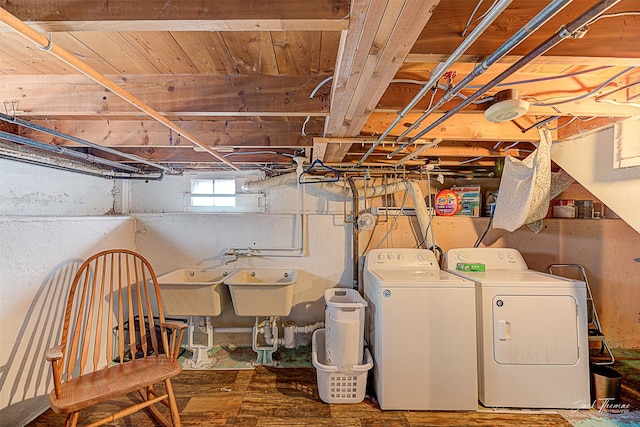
(220,194)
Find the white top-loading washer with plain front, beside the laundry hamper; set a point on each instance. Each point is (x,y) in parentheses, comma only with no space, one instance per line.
(420,326)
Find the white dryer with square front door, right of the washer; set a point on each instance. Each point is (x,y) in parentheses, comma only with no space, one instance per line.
(533,349)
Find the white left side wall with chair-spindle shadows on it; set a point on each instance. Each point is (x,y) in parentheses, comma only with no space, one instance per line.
(39,252)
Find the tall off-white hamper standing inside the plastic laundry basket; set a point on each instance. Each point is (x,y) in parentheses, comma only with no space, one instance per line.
(344,323)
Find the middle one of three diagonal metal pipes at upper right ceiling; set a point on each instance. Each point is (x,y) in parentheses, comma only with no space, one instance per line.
(533,25)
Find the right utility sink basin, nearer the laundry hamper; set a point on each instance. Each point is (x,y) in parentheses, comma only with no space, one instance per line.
(262,292)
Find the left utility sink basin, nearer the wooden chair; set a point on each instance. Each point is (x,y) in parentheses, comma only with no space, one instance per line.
(194,292)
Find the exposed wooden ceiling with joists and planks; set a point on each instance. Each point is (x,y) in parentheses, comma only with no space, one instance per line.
(242,77)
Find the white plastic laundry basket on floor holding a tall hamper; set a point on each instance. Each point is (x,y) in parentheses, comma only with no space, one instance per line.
(335,386)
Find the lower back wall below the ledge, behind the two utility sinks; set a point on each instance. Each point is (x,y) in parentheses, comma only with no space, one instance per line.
(172,241)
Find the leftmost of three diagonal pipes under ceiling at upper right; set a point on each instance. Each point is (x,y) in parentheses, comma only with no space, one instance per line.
(442,68)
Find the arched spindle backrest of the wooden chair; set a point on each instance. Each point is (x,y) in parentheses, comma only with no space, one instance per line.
(113,314)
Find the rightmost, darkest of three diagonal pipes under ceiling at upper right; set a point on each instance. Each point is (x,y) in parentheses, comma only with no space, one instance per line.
(561,34)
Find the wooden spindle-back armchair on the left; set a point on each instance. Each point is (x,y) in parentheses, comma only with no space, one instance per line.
(115,340)
